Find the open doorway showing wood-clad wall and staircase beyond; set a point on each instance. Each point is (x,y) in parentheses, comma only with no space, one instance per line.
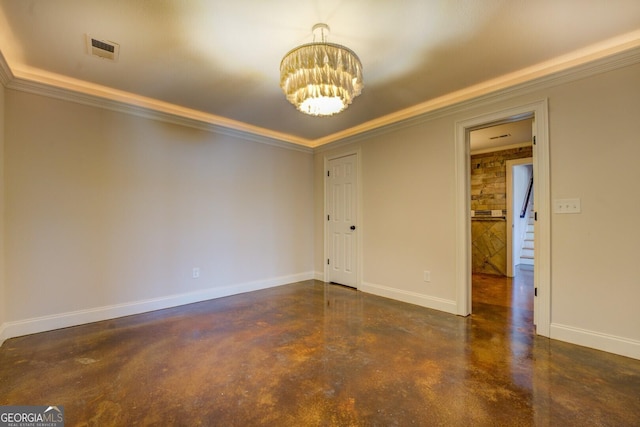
(502,229)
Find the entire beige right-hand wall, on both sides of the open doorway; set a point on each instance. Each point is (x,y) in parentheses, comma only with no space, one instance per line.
(409,209)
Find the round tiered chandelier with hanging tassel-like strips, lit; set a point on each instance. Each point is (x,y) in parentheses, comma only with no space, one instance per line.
(320,78)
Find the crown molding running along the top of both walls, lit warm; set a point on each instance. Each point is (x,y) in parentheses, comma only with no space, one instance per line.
(599,58)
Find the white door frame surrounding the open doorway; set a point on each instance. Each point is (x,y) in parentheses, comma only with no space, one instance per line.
(542,236)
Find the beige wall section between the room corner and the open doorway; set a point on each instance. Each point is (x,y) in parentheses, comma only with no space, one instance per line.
(407,224)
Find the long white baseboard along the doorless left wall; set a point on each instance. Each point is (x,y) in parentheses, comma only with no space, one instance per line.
(80,317)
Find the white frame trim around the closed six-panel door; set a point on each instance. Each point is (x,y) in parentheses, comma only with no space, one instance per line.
(359,222)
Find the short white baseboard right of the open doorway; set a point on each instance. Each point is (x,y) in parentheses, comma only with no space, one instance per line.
(599,341)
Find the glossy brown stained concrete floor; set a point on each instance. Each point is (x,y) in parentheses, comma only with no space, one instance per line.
(314,354)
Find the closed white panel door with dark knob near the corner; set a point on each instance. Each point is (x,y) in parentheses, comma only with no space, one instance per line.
(342,211)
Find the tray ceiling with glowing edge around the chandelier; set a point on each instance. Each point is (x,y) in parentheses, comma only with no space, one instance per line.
(218,60)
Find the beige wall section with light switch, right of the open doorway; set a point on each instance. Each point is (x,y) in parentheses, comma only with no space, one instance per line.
(594,156)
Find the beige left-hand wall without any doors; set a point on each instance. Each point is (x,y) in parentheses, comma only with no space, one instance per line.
(105,209)
